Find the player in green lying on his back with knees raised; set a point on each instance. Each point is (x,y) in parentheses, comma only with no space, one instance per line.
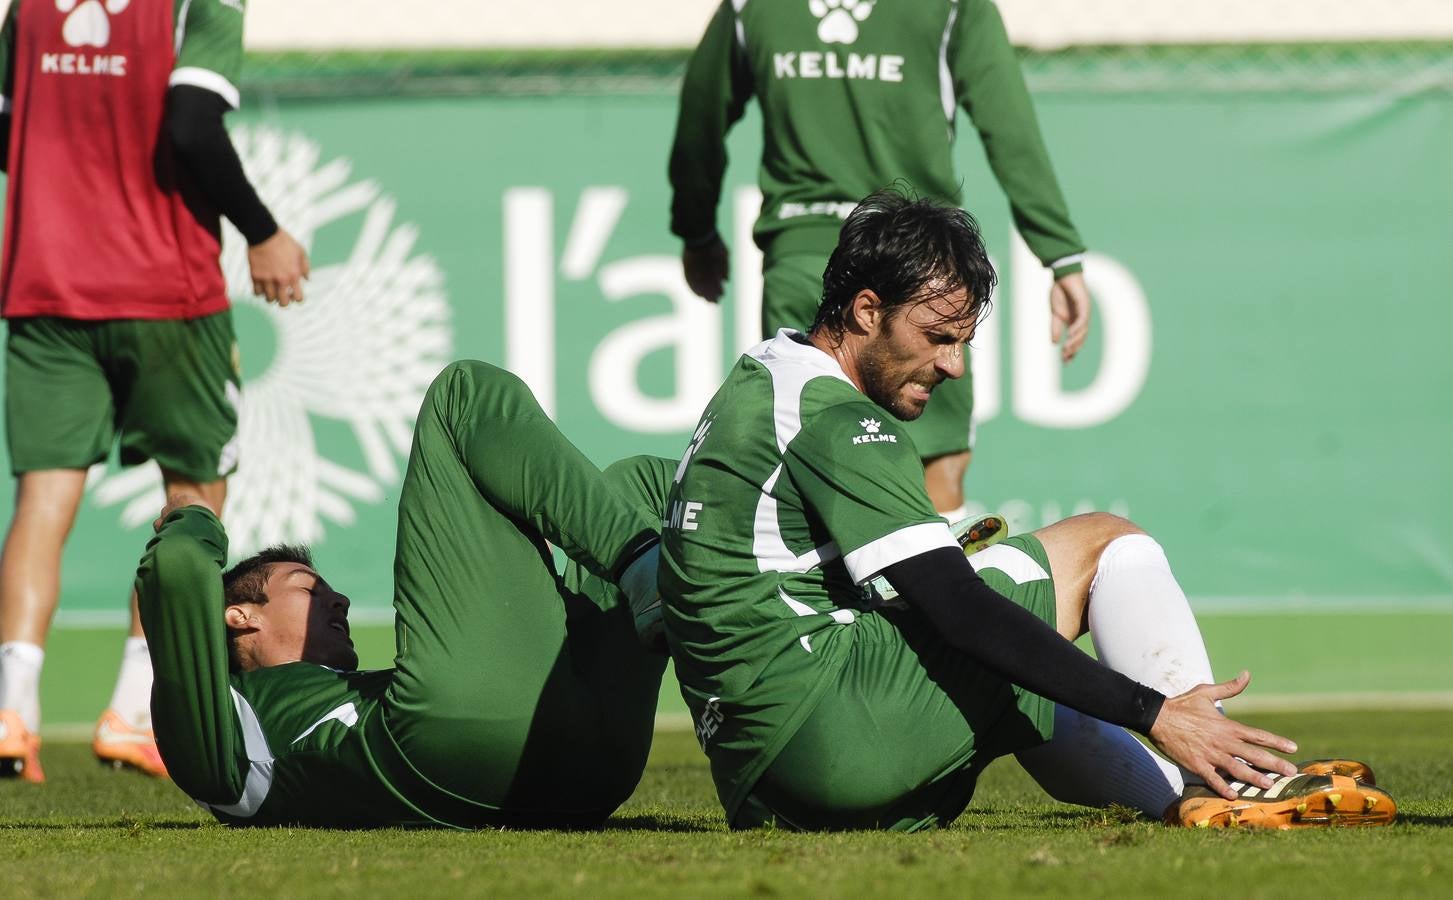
(518,697)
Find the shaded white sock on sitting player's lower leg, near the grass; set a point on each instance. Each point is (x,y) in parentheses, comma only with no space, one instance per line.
(1096,764)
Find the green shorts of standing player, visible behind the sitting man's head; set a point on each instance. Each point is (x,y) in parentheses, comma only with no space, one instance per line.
(791,293)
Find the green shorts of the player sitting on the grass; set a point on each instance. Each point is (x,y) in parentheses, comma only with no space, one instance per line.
(900,741)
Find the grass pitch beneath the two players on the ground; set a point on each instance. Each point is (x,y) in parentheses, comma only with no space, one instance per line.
(95,832)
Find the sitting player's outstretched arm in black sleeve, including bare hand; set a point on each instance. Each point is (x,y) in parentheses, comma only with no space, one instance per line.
(1015,643)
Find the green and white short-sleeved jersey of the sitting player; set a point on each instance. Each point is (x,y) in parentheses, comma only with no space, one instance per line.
(794,492)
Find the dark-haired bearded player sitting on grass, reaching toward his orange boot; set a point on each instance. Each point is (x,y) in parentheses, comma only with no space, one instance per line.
(820,707)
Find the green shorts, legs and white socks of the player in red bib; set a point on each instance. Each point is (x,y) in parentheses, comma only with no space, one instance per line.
(169,389)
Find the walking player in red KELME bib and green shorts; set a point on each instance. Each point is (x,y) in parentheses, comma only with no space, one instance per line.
(118,313)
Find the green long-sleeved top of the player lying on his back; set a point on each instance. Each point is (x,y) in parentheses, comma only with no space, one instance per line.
(296,744)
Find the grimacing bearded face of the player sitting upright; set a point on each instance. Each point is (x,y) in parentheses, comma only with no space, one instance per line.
(907,355)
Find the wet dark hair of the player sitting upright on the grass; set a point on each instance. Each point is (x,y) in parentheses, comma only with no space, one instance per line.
(900,246)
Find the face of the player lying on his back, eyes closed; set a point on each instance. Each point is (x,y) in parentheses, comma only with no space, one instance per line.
(304,619)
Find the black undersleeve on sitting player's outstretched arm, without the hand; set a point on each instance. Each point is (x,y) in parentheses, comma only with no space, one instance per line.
(1011,640)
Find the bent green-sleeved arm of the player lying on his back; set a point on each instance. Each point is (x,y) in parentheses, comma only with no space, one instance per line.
(179,592)
